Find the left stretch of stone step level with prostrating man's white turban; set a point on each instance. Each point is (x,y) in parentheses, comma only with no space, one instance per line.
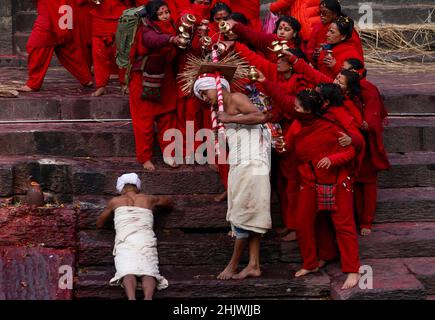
(84,176)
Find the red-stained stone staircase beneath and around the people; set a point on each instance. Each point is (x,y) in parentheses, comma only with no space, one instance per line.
(78,163)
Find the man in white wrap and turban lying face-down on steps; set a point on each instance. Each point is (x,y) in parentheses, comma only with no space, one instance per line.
(135,248)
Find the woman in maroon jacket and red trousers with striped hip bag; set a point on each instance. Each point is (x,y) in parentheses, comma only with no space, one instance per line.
(152,84)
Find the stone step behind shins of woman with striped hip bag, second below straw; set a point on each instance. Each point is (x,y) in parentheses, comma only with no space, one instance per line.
(405,134)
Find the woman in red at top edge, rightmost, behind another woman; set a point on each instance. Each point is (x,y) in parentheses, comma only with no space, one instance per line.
(329,11)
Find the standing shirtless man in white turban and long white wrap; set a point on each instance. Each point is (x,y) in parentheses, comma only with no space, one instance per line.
(248,181)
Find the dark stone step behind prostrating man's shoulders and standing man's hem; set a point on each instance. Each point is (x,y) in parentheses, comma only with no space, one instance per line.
(202,212)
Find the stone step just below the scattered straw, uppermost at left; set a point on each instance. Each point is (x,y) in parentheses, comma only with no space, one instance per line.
(37,106)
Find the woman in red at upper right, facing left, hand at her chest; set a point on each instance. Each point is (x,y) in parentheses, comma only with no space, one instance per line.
(338,47)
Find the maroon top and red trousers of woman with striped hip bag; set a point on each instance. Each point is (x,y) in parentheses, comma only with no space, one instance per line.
(153,41)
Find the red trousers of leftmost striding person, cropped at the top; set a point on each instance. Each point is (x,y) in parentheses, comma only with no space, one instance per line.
(47,38)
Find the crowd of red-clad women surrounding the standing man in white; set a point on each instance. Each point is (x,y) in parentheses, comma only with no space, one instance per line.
(325,170)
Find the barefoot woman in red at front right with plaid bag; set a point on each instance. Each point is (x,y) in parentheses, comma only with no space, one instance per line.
(323,162)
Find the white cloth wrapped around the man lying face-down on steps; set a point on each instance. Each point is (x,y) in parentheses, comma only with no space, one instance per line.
(135,248)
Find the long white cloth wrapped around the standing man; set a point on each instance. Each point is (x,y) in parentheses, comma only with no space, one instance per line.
(249,178)
